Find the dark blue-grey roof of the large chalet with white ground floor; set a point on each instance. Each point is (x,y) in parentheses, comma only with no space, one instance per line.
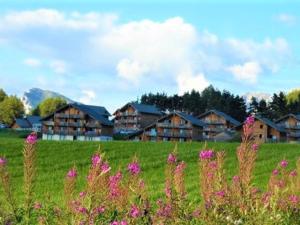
(98,113)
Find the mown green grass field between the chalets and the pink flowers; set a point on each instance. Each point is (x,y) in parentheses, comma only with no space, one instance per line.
(55,158)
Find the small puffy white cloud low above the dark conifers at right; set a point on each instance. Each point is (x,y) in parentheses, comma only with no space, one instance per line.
(249,71)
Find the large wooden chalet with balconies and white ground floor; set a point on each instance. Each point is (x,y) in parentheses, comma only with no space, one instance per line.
(78,122)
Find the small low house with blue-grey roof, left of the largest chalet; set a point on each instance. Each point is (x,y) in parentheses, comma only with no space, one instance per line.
(30,123)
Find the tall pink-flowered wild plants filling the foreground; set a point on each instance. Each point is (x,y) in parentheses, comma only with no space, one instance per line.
(121,198)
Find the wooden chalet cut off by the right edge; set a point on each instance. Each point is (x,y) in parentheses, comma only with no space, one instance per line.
(291,123)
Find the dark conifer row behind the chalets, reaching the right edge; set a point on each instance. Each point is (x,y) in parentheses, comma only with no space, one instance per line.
(195,103)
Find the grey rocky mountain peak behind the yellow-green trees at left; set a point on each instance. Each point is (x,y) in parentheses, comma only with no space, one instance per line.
(34,96)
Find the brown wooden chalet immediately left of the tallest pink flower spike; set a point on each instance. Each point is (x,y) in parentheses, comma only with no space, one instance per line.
(216,123)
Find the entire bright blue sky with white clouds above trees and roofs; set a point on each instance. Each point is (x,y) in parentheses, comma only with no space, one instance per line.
(111,52)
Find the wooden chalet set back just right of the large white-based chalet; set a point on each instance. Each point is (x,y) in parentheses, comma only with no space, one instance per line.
(134,117)
